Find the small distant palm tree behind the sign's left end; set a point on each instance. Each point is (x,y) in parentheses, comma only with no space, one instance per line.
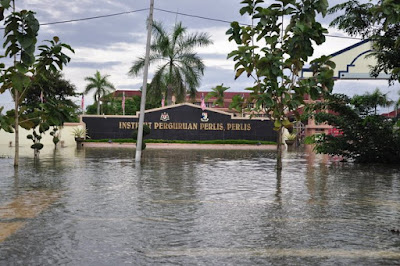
(101,86)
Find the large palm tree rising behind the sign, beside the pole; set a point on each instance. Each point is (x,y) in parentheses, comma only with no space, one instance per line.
(180,68)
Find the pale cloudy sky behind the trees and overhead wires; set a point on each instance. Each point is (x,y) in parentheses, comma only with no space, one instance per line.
(111,44)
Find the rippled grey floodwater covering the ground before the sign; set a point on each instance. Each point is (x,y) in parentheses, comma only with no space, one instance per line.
(97,206)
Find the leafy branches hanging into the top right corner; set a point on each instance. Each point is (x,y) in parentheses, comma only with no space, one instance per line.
(379,22)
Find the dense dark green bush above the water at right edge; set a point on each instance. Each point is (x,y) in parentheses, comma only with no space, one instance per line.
(368,138)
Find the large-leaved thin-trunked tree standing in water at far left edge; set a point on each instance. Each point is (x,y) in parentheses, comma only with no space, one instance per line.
(20,34)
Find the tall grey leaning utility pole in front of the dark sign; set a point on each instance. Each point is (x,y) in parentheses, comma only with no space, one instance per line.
(145,73)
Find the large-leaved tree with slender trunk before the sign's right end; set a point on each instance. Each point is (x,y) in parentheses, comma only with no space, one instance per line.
(274,61)
